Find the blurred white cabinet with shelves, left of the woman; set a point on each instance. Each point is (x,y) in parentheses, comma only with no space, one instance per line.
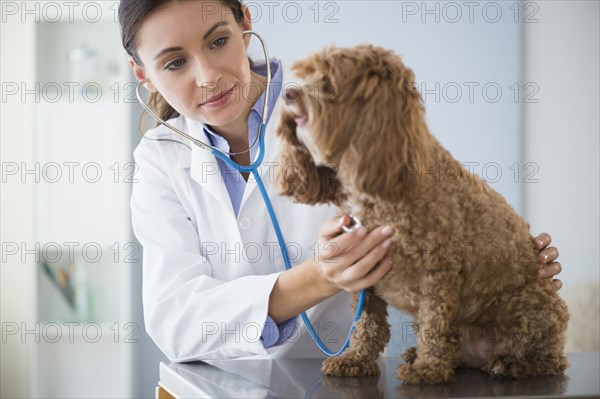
(86,331)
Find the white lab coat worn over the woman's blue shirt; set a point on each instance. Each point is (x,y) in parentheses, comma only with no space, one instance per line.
(207,275)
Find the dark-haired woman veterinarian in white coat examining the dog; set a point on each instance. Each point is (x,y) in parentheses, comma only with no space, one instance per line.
(214,284)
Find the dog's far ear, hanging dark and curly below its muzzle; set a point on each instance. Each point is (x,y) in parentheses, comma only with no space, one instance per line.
(298,176)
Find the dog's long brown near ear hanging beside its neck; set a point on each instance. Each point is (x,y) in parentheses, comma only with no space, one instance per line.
(388,149)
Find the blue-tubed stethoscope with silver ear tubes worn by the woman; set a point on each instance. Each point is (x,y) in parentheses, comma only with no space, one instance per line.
(253,168)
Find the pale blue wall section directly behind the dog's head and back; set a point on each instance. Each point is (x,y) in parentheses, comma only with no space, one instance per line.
(447,47)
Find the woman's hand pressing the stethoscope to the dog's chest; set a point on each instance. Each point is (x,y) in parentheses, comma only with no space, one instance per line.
(351,261)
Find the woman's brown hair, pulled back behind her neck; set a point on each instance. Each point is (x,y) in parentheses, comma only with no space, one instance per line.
(132,14)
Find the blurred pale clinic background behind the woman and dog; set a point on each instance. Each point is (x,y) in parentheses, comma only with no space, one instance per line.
(511,88)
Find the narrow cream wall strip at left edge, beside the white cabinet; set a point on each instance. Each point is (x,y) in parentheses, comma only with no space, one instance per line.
(16,143)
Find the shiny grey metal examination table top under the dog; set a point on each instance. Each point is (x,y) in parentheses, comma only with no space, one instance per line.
(301,378)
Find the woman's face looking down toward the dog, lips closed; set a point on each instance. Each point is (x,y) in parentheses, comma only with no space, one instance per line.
(194,54)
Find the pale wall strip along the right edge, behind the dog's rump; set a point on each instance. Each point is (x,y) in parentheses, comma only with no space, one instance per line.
(562,132)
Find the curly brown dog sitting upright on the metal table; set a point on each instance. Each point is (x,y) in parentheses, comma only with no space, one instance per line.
(464,262)
